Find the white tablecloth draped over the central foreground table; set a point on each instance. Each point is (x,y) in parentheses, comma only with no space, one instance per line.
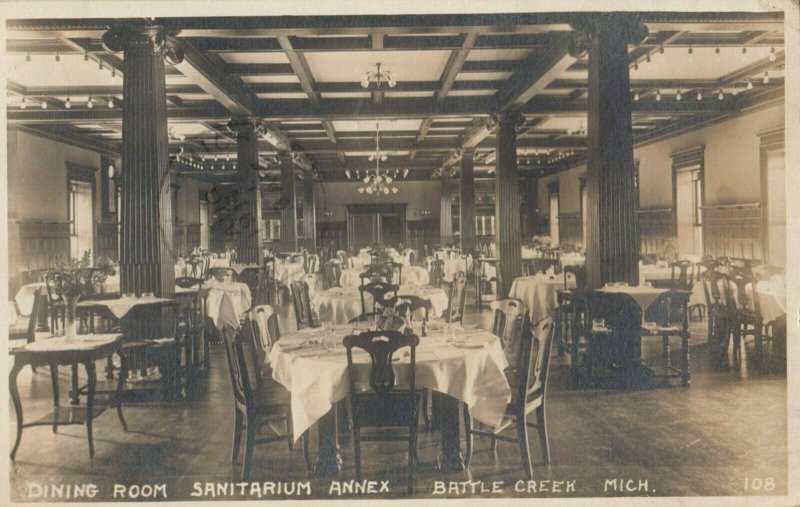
(317,377)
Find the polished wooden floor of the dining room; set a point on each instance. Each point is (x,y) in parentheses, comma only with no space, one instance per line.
(728,428)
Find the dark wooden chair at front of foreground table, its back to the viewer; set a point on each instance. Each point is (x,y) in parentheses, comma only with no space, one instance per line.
(384,405)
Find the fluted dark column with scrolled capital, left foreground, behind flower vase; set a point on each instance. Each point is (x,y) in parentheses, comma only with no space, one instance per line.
(146,253)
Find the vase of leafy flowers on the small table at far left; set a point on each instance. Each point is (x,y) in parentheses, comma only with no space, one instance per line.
(77,278)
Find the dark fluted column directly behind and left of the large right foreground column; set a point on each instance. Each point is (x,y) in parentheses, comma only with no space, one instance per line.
(509,247)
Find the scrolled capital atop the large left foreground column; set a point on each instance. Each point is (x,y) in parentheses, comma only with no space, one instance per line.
(143,36)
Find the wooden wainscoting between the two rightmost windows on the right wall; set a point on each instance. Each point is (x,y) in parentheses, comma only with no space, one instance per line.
(733,230)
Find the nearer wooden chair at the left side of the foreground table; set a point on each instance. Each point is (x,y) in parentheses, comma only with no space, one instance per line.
(255,408)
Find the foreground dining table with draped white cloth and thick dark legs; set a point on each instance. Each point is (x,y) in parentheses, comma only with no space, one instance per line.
(465,365)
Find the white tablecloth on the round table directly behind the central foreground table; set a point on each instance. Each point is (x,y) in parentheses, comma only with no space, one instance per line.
(339,305)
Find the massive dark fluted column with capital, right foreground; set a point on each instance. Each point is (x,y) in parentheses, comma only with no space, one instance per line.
(613,238)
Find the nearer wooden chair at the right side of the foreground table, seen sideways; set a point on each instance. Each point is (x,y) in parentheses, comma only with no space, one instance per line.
(527,396)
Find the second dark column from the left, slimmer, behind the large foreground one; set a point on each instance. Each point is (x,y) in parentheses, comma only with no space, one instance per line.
(246,230)
